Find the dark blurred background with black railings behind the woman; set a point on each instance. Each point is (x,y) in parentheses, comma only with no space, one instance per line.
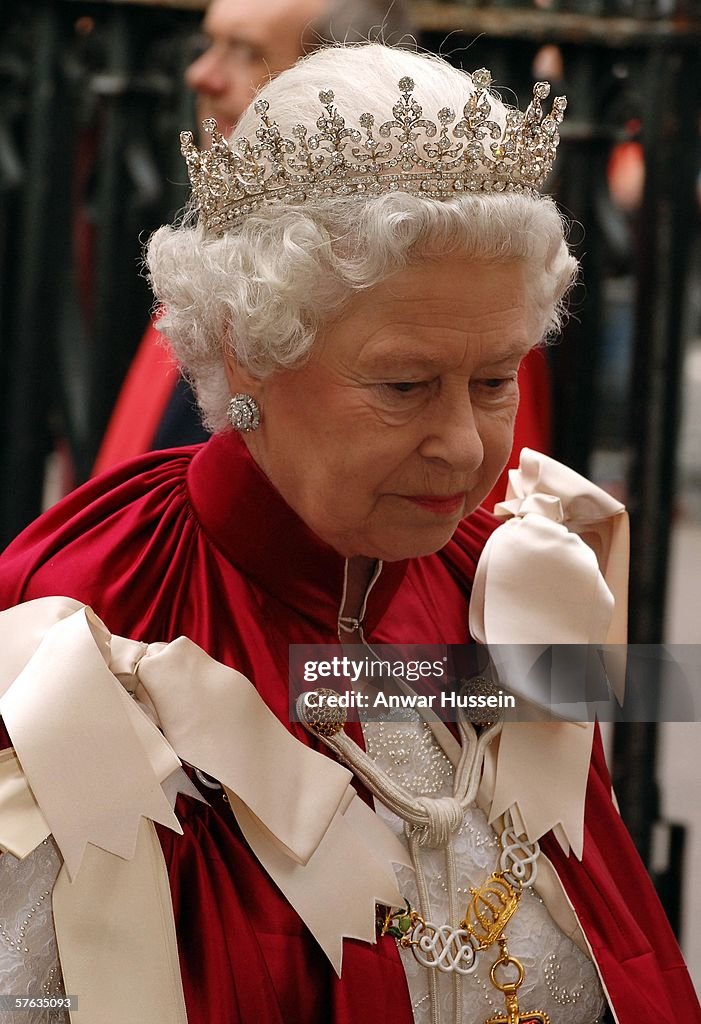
(92,105)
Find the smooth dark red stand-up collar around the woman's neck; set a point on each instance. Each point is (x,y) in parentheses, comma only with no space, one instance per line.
(253,527)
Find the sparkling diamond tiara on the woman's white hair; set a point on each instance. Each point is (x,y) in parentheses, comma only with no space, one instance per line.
(408,153)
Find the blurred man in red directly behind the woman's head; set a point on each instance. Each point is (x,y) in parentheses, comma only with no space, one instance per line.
(245,44)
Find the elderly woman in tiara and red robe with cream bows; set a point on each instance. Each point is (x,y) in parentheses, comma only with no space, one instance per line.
(365,266)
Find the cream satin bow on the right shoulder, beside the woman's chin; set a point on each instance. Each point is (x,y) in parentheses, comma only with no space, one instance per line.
(554,573)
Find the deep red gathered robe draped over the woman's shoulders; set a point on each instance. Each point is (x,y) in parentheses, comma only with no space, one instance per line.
(197,542)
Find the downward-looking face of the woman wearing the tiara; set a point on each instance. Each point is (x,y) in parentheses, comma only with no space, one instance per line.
(403,419)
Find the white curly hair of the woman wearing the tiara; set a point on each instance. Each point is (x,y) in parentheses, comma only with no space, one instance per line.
(261,292)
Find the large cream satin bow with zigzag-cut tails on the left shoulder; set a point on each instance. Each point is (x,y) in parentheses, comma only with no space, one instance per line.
(91,766)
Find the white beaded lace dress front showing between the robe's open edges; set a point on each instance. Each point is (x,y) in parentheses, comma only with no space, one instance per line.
(560,979)
